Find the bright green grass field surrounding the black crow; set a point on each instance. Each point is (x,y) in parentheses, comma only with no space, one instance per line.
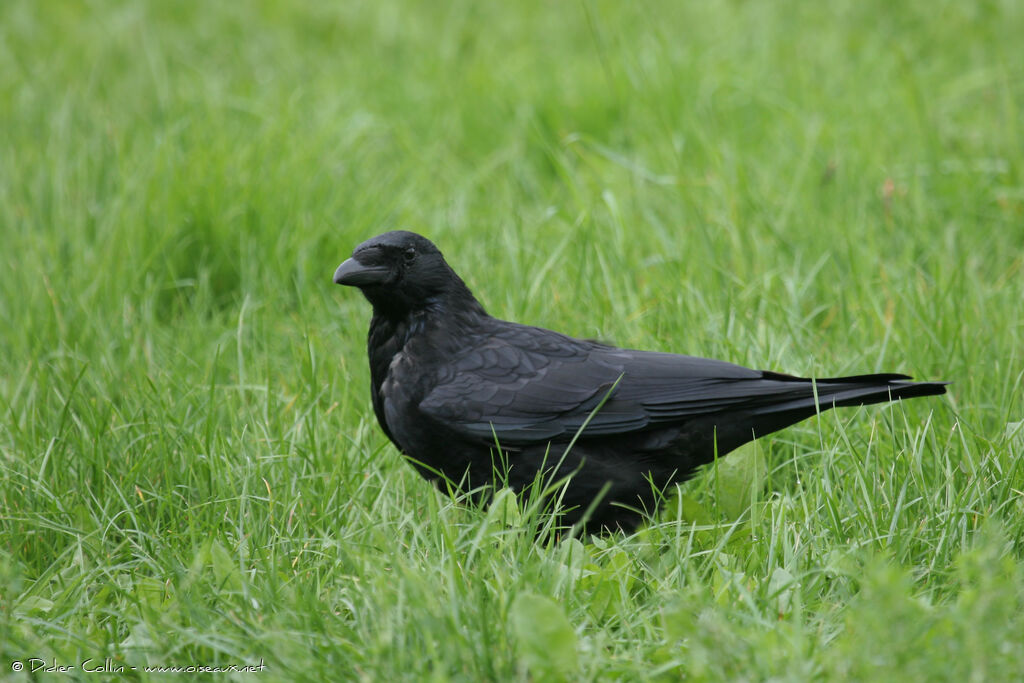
(191,474)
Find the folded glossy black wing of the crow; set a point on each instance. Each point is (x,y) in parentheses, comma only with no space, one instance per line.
(525,387)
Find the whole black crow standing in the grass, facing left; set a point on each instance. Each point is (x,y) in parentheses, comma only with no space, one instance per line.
(450,385)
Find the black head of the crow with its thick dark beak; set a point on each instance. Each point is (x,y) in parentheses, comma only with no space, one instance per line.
(400,273)
